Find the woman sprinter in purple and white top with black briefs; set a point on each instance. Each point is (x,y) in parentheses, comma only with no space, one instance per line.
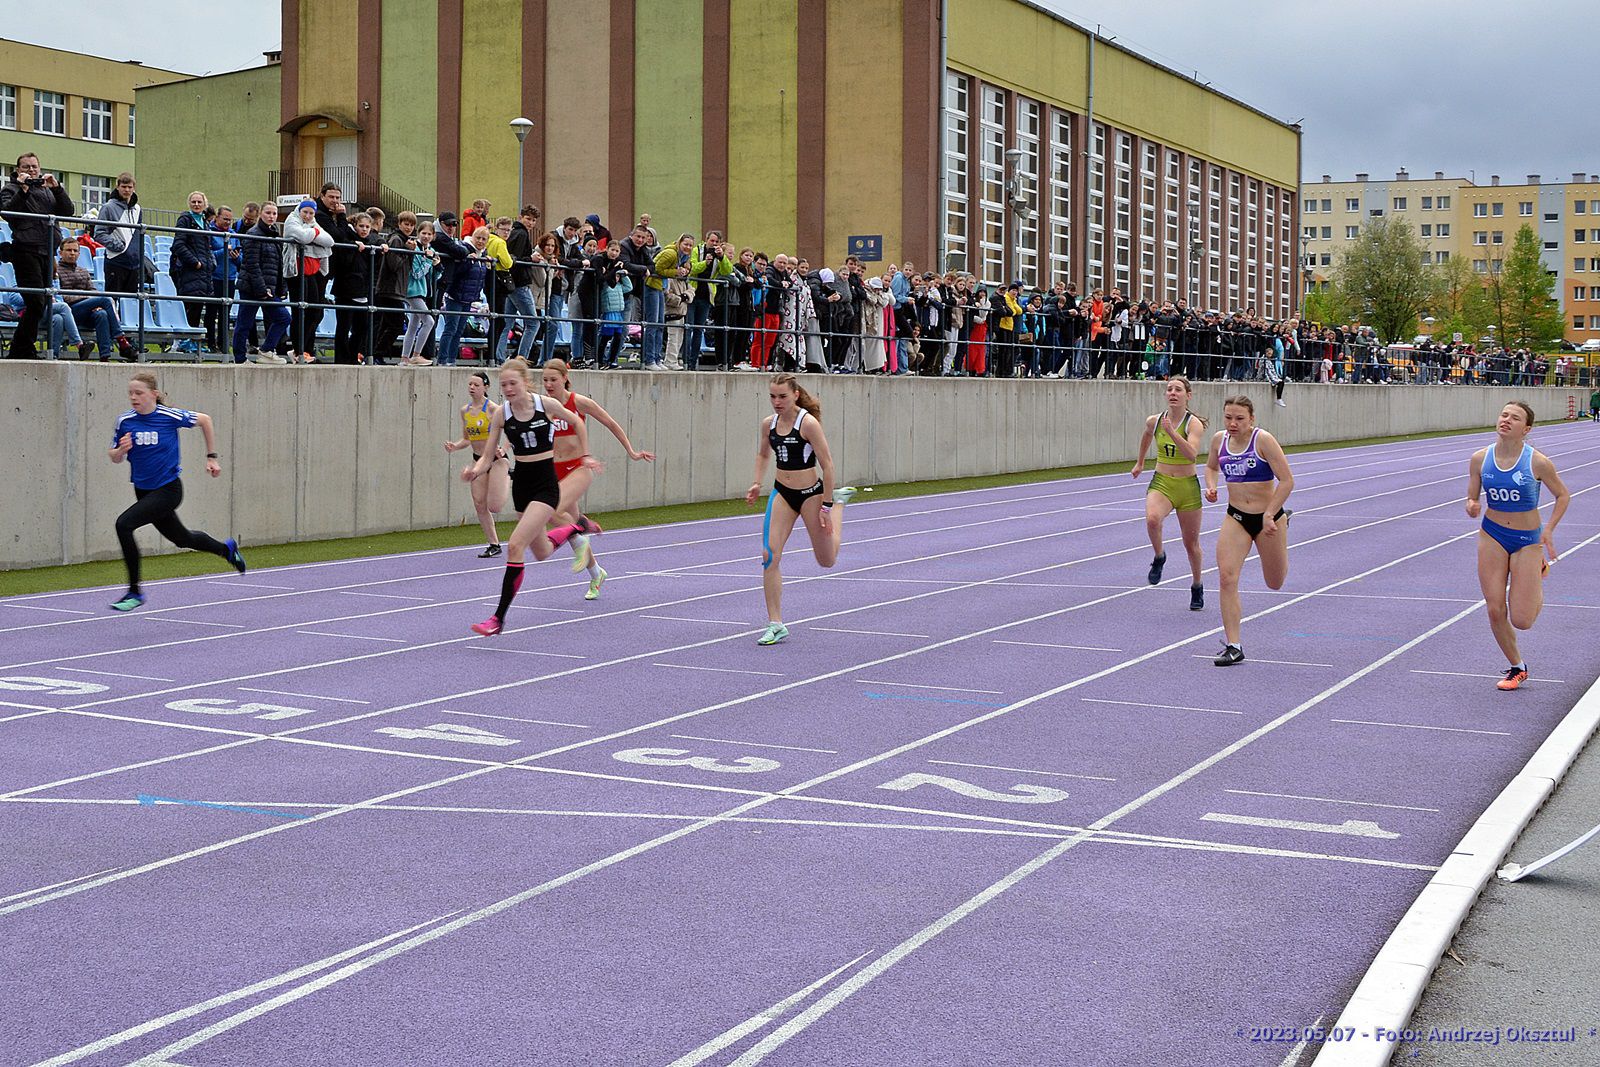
(1250,460)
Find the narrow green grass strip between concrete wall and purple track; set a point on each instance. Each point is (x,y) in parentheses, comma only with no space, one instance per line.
(185,564)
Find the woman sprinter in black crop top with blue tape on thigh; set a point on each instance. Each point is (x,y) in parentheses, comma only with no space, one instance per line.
(794,436)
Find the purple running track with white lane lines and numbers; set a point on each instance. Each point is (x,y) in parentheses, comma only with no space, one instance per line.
(988,804)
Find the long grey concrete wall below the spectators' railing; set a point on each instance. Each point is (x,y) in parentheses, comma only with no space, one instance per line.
(337,452)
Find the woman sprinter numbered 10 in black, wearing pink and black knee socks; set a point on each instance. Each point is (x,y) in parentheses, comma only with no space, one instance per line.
(529,425)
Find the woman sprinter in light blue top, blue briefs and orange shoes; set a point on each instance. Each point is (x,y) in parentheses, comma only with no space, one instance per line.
(1514,553)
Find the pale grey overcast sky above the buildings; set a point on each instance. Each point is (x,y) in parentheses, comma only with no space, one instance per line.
(1455,86)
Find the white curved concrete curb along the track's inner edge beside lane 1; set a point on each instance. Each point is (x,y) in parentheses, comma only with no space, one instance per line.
(1393,986)
